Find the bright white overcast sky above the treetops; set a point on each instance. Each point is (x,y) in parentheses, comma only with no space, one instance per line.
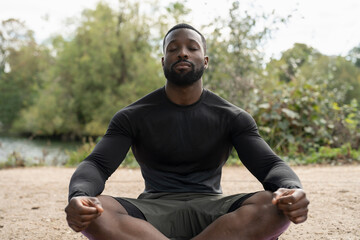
(330,26)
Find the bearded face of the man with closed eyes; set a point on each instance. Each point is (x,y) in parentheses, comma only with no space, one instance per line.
(184,61)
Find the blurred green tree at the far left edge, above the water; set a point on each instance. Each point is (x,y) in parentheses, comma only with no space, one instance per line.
(22,63)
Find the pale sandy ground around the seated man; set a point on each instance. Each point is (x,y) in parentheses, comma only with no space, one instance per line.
(32,200)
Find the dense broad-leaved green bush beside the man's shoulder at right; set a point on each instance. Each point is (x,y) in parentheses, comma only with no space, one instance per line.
(302,118)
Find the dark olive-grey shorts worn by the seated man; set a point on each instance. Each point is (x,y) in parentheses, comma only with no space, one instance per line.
(182,215)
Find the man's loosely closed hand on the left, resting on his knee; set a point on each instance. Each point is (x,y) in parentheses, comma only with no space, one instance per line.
(81,211)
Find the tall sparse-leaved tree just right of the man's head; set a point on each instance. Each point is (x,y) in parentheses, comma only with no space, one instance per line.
(235,68)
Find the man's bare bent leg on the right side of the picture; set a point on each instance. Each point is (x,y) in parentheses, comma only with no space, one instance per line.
(256,219)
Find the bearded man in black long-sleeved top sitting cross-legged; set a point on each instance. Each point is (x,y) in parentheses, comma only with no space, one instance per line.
(181,135)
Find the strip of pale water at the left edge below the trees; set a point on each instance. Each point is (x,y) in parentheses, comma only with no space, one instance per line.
(35,151)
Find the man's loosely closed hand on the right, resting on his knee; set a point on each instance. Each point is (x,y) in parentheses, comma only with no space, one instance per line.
(293,203)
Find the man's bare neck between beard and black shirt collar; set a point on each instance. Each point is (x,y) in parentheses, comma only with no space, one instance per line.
(184,95)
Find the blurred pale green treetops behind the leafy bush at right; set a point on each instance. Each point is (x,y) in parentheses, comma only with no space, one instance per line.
(305,65)
